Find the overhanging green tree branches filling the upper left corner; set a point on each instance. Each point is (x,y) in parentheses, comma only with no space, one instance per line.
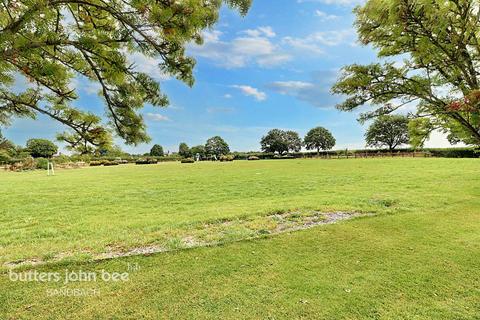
(55,43)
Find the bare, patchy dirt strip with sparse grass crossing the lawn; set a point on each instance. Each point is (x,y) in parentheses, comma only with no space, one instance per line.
(209,234)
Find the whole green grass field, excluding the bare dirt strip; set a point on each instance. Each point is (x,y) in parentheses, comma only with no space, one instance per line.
(416,258)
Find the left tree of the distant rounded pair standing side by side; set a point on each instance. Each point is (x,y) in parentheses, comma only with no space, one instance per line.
(281,141)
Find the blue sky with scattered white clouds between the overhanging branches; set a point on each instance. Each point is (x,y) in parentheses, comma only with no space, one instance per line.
(270,69)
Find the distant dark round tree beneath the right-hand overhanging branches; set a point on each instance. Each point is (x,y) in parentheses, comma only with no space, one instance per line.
(388,130)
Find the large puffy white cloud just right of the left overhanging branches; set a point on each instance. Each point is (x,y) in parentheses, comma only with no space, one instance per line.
(254,46)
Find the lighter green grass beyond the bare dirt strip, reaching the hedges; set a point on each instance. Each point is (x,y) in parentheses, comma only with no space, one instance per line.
(129,206)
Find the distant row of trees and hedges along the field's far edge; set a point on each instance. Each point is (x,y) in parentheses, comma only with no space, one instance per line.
(389,132)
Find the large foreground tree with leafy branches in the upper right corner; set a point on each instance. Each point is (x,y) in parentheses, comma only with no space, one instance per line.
(440,75)
